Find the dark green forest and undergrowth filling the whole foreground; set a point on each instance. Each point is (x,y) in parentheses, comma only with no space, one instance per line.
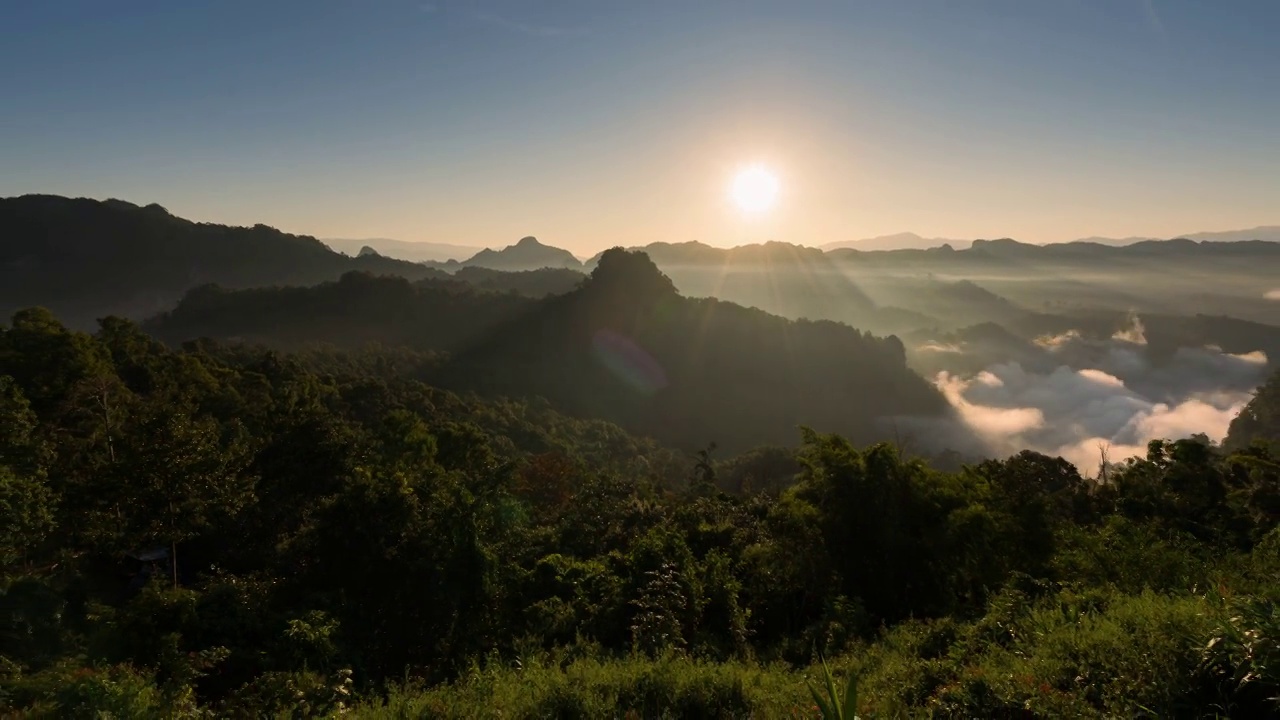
(237,532)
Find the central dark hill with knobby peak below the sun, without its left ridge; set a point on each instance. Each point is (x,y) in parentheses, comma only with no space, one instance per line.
(628,348)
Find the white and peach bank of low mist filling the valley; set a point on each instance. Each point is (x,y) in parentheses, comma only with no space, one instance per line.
(1084,398)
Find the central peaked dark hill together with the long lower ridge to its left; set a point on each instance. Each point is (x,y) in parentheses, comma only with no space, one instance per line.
(624,348)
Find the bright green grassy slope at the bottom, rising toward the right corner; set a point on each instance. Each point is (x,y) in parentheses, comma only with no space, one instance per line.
(1067,657)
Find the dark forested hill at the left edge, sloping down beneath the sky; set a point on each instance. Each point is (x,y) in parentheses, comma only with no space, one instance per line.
(86,259)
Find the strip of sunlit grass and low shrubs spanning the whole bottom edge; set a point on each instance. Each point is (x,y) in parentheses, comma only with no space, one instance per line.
(1095,654)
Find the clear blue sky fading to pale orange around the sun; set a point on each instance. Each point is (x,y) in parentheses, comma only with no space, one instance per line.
(593,124)
